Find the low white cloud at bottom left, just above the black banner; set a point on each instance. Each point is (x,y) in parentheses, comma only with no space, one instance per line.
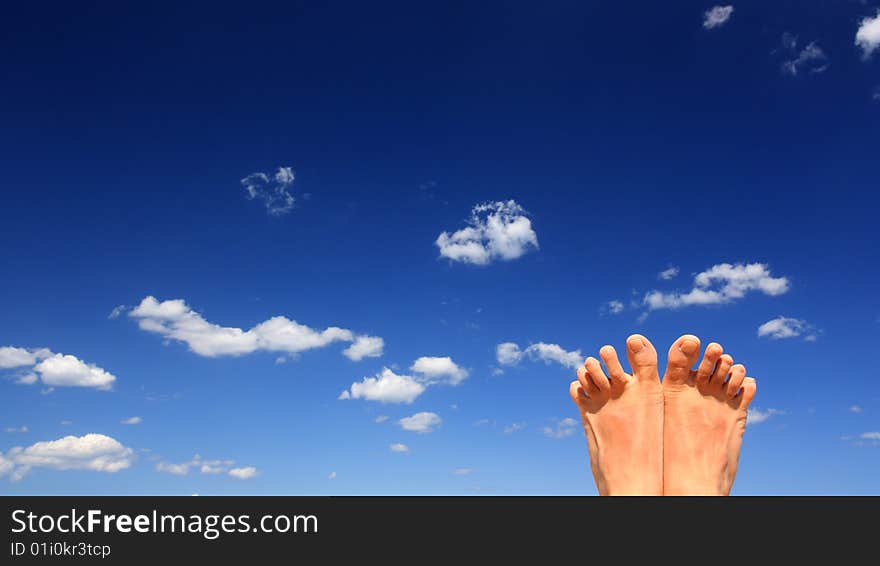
(95,452)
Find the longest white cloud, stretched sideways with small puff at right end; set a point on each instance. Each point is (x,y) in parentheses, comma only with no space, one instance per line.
(175,320)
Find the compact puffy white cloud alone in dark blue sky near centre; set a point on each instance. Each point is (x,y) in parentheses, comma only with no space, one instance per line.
(496,231)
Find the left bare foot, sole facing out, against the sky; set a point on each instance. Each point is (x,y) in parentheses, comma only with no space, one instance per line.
(623,419)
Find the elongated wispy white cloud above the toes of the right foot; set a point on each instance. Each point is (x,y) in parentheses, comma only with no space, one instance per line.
(721,284)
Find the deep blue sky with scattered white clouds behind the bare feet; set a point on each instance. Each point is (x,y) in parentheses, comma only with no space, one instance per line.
(631,140)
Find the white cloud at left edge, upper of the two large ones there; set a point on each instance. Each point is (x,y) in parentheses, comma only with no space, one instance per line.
(54,370)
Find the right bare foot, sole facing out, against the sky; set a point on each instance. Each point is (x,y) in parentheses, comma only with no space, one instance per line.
(704,419)
